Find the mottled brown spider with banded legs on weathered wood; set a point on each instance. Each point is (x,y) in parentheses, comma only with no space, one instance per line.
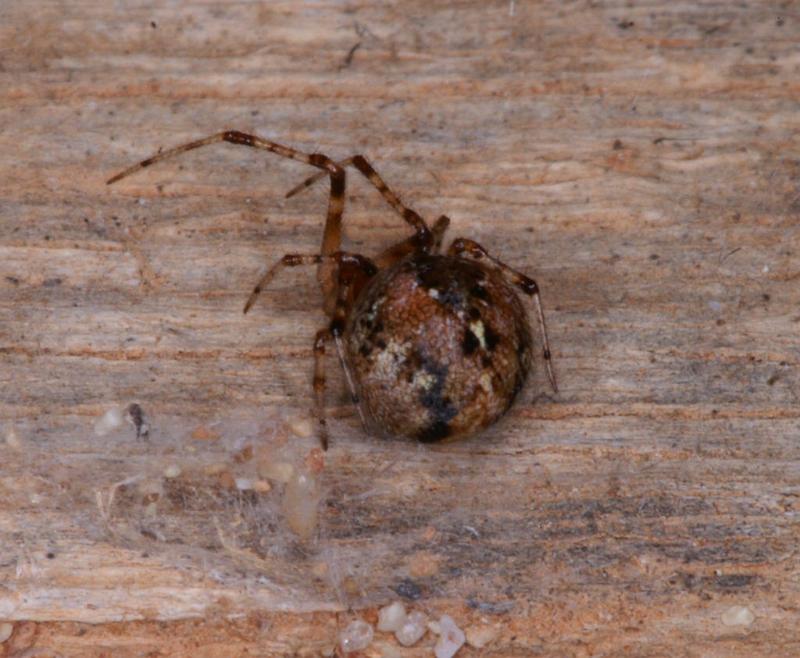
(433,346)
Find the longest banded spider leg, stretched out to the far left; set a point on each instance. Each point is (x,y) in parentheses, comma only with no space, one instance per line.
(332,236)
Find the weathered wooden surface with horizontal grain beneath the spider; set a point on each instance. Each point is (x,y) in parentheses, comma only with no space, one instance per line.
(641,162)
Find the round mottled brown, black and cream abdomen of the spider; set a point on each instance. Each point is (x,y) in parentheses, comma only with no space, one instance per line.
(438,346)
